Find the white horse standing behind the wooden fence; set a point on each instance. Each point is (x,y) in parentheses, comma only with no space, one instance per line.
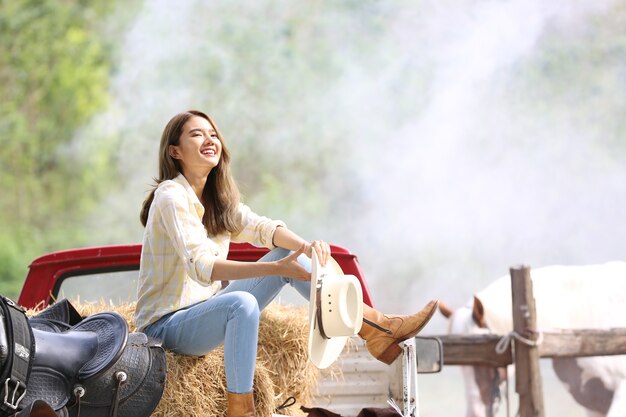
(566,297)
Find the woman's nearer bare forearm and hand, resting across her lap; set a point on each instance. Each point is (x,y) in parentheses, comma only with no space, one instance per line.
(224,269)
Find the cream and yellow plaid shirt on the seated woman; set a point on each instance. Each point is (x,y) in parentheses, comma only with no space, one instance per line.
(177,256)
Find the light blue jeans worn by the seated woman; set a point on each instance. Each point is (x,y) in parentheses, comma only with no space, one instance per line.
(230,317)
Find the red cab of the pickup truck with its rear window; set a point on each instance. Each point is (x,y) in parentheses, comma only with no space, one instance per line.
(109,273)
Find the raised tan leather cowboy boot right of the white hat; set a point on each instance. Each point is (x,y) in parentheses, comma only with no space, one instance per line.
(383,332)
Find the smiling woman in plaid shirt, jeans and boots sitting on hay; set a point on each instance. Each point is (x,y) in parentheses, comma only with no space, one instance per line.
(190,218)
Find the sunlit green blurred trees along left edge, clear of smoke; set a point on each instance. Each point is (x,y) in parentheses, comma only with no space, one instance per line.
(55,67)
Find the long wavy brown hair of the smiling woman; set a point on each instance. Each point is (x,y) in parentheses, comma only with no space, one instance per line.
(220,196)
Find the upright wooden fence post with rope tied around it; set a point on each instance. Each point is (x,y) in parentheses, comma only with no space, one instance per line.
(526,356)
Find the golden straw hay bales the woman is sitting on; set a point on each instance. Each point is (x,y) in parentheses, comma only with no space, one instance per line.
(197,386)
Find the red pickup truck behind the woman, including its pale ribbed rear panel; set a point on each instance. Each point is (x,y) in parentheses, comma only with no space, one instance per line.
(109,273)
